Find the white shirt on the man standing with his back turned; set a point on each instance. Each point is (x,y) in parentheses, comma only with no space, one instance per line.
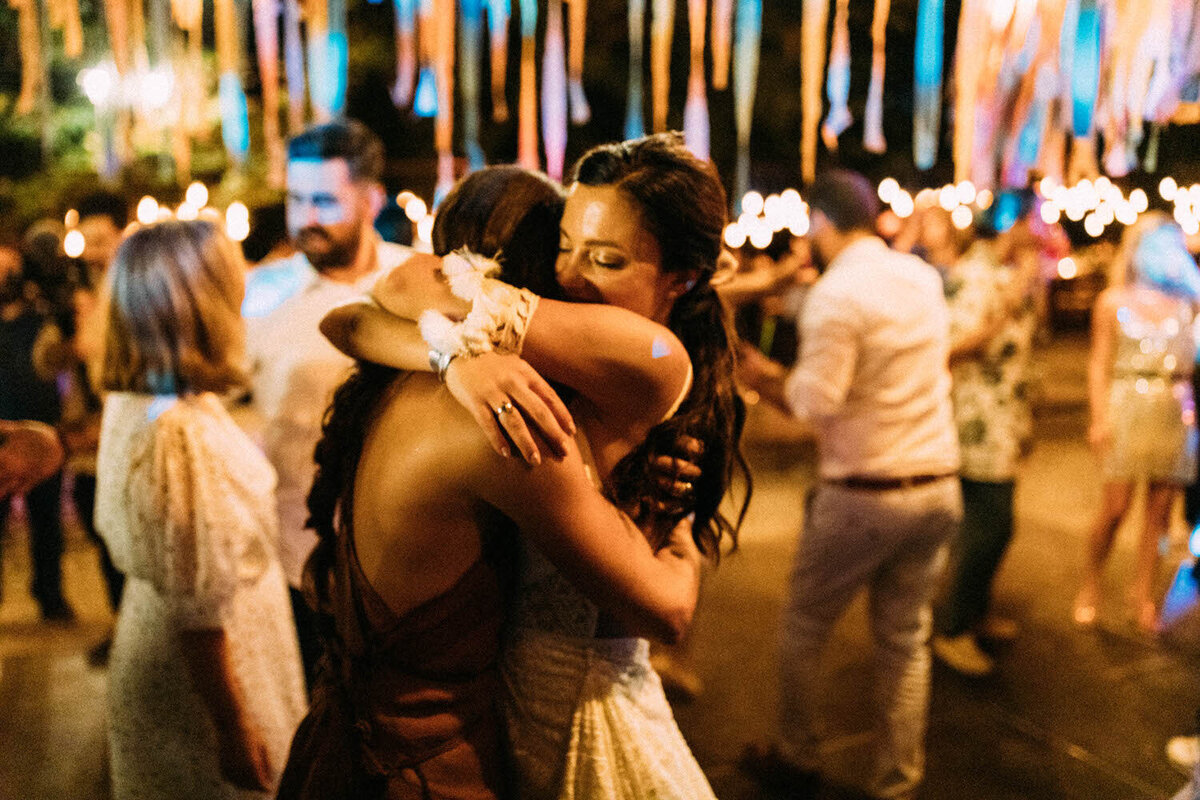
(872,377)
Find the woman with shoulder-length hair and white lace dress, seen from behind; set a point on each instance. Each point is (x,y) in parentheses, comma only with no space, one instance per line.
(205,677)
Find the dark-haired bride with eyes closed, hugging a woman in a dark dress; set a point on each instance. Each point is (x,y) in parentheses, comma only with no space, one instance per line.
(641,231)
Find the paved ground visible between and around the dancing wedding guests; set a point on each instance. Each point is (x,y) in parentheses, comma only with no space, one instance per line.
(1070,714)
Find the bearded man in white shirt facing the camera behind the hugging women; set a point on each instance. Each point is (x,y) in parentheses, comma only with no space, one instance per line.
(334,196)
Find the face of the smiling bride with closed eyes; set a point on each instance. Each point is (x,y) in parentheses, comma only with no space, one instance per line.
(607,256)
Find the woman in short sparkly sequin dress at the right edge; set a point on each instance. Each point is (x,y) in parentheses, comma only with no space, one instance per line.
(1143,411)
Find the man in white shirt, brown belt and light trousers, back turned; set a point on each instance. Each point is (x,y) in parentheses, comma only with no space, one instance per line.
(873,382)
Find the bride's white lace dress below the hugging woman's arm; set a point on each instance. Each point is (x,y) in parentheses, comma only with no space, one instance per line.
(587,717)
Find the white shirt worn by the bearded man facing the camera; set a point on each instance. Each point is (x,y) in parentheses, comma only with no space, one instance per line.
(295,372)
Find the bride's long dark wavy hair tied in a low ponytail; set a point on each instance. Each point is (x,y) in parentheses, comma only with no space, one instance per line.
(682,204)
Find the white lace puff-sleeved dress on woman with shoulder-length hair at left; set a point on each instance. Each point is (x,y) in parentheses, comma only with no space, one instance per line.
(185,503)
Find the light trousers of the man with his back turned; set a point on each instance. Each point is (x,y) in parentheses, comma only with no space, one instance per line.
(895,544)
